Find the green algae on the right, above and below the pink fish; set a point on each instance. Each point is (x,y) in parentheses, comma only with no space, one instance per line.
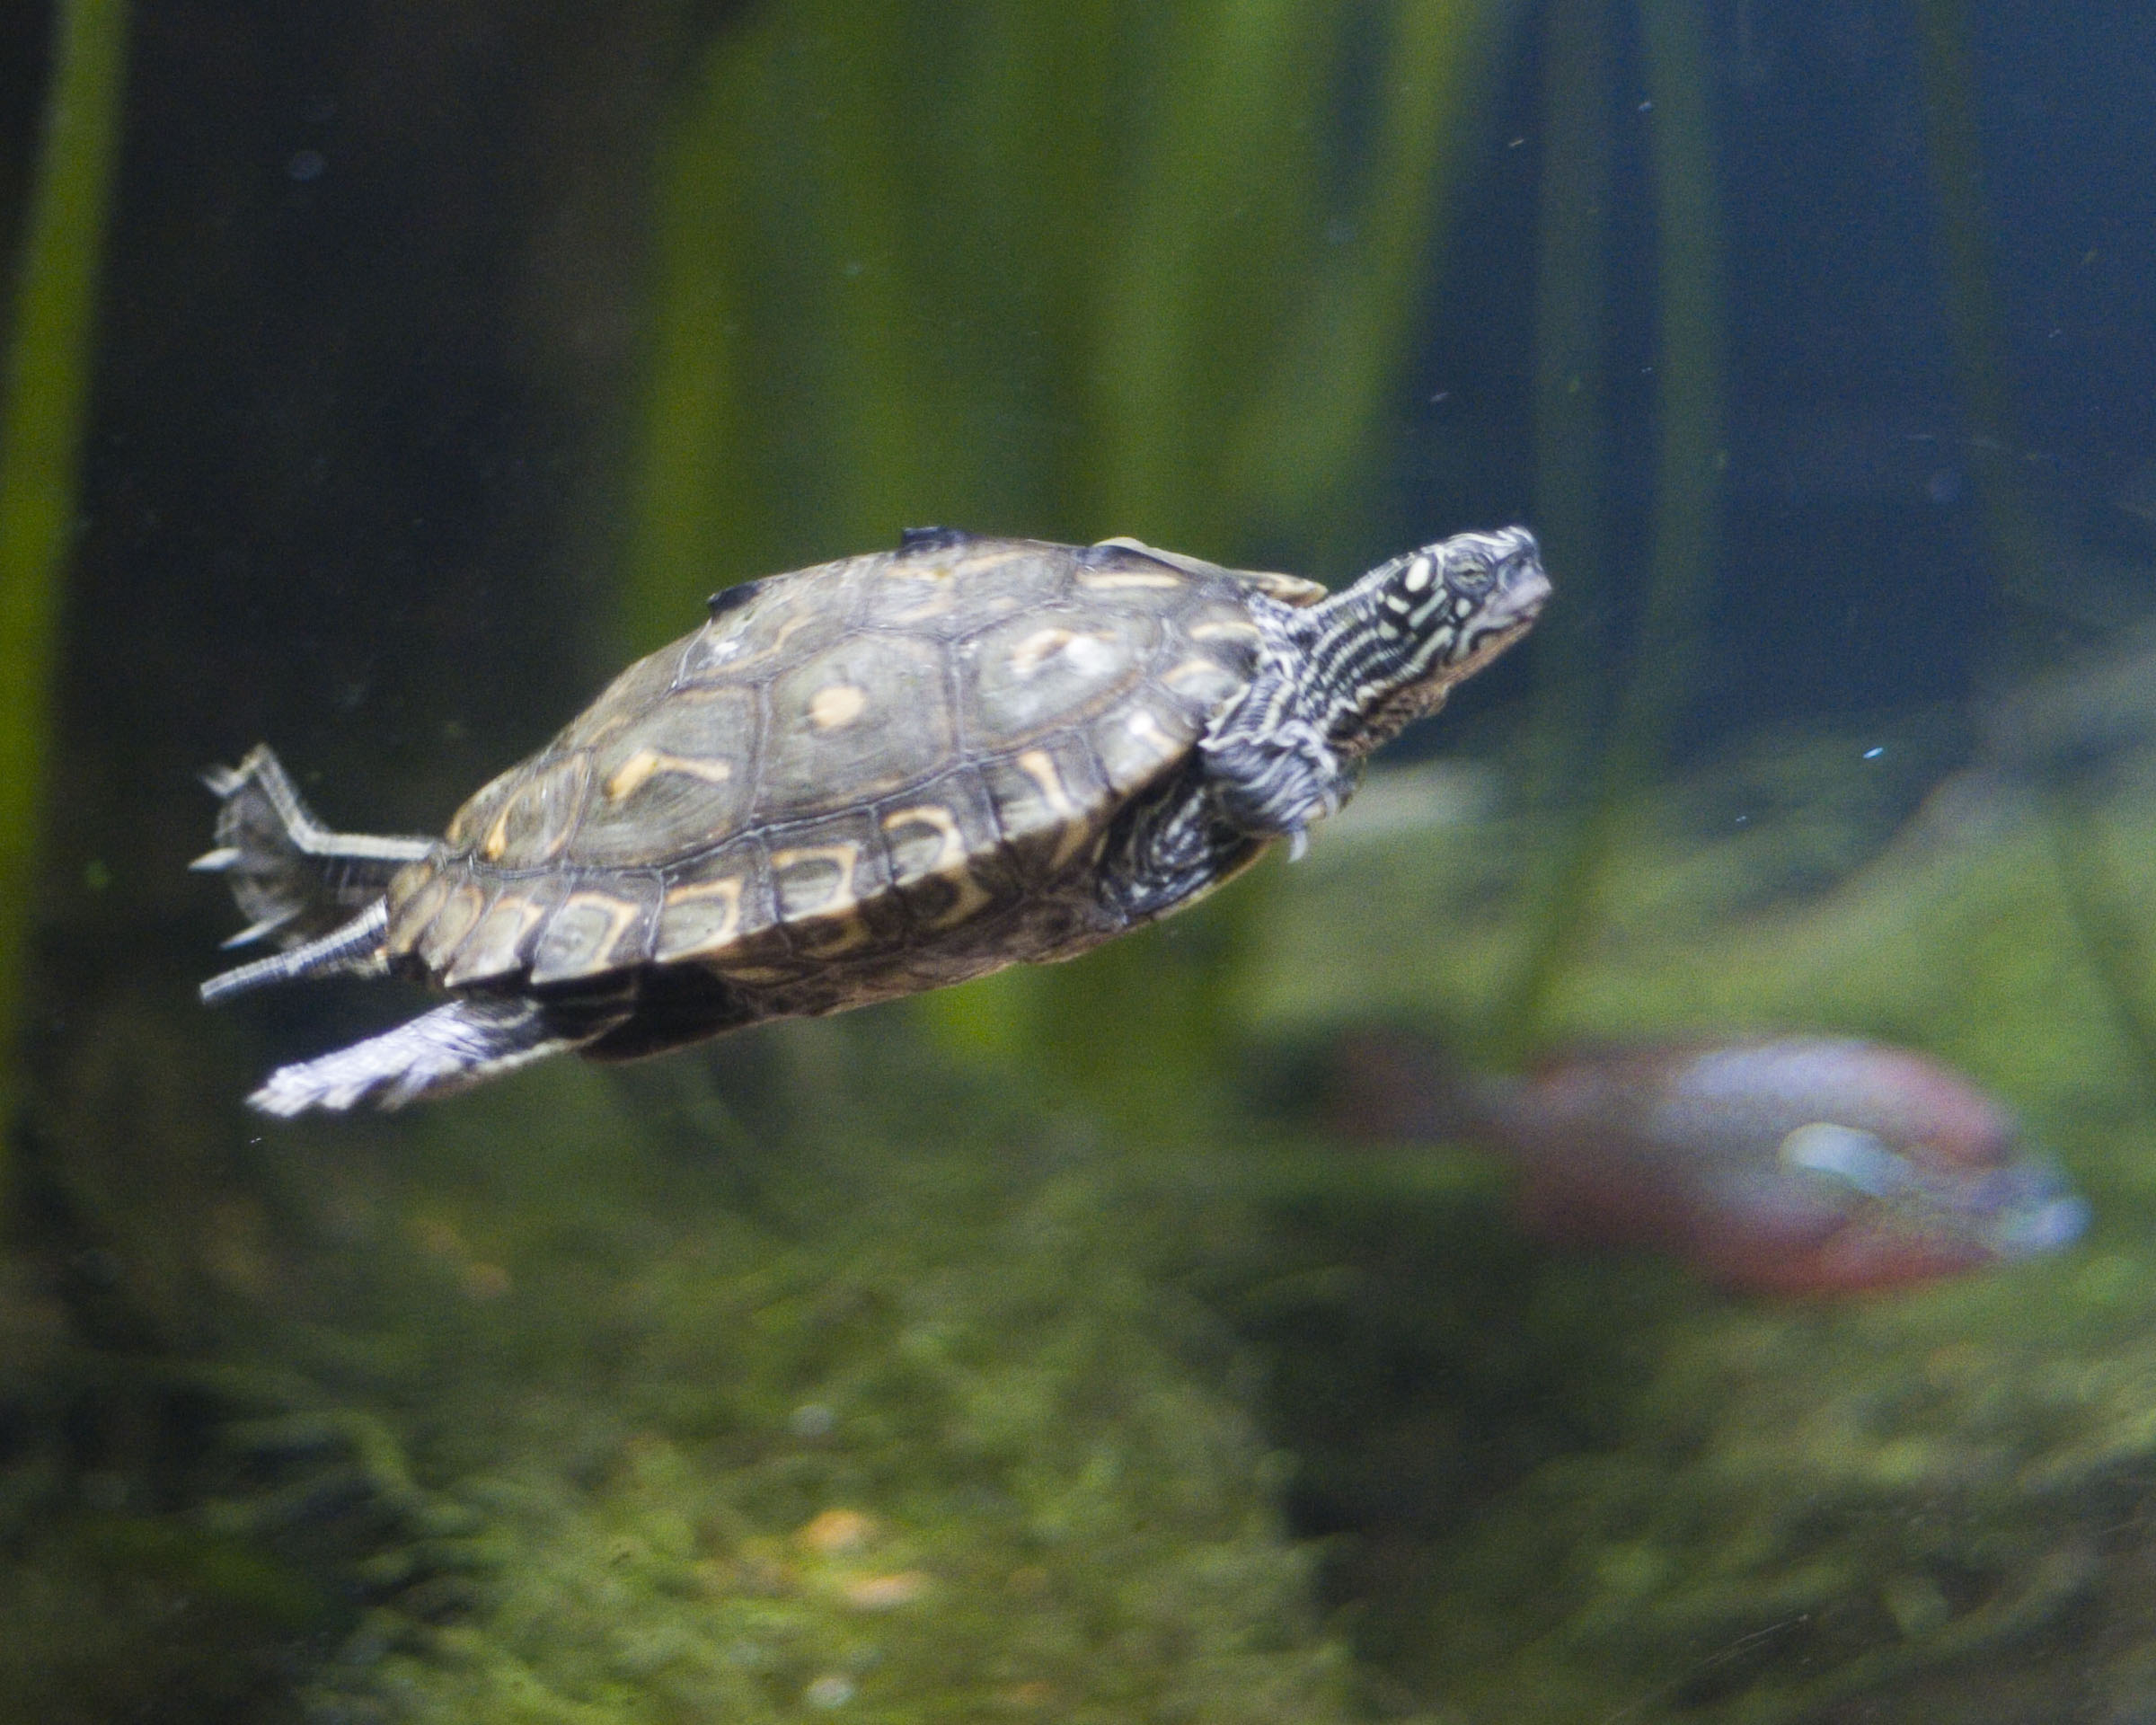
(1765,1513)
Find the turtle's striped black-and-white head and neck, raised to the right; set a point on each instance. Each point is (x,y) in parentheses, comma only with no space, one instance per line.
(1392,648)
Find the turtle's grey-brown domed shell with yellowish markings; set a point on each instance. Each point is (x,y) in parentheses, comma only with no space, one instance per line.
(844,771)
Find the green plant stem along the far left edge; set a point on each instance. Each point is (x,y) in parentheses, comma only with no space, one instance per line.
(44,409)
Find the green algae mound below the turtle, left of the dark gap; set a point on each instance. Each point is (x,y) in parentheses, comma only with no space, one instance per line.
(917,1433)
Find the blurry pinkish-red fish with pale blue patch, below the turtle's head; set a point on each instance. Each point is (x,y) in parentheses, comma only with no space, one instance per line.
(1788,1165)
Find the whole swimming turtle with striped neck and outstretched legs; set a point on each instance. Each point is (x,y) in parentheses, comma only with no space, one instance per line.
(859,782)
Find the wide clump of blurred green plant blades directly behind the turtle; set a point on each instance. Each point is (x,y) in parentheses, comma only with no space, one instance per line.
(1079,271)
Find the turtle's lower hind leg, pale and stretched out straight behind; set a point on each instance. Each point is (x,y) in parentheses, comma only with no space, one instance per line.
(437,1053)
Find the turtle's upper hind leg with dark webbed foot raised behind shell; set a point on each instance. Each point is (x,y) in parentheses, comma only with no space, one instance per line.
(294,879)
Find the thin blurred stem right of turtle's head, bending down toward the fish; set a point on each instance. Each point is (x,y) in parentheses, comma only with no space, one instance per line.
(1689,458)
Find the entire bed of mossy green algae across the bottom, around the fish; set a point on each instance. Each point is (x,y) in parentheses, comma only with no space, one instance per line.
(827,1377)
